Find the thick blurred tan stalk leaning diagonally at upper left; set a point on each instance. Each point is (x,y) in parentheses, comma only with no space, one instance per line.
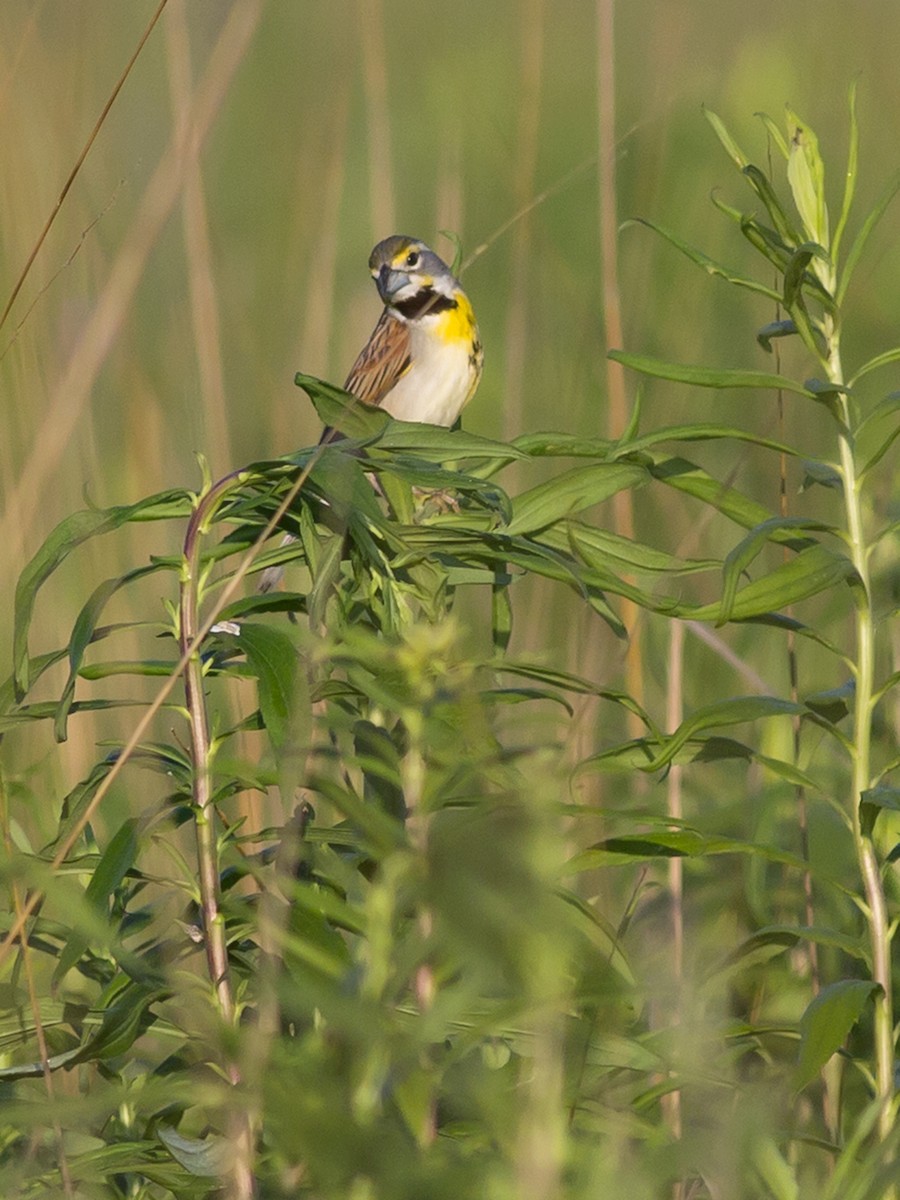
(103,328)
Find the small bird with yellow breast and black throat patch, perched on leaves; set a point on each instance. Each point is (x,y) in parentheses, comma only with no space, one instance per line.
(424,359)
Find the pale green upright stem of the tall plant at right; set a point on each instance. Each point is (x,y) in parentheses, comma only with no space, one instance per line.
(871,872)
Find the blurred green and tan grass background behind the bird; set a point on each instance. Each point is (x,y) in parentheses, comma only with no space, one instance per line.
(184,283)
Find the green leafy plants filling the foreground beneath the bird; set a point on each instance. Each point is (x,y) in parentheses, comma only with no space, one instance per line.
(446,949)
